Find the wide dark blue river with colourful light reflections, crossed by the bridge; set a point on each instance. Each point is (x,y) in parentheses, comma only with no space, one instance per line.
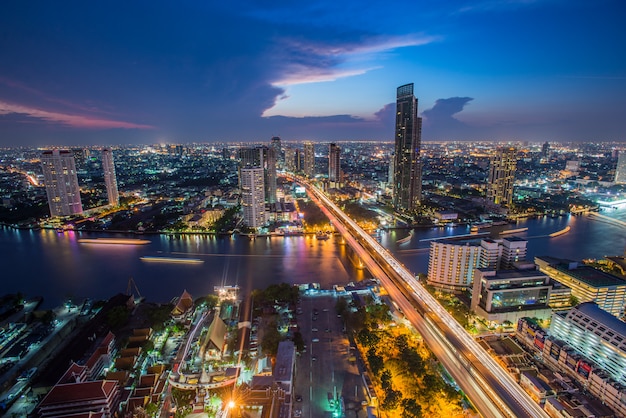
(56,266)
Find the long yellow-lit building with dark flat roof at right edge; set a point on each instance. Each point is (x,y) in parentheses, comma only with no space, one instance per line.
(587,283)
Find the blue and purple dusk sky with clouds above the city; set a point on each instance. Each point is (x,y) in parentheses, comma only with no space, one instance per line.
(145,72)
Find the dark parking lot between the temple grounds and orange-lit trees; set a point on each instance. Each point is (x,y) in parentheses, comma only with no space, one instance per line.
(324,371)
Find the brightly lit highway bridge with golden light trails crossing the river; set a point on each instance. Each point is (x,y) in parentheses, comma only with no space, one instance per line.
(490,388)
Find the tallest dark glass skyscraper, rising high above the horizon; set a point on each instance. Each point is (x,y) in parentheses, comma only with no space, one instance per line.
(407,186)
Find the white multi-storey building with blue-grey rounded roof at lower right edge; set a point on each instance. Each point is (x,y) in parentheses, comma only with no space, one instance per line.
(596,334)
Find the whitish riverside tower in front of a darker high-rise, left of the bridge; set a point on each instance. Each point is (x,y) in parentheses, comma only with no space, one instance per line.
(253,197)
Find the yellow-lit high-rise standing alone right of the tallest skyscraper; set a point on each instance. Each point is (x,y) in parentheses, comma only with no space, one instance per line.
(501,176)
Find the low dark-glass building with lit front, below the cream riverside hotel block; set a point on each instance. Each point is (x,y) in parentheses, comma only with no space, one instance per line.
(508,295)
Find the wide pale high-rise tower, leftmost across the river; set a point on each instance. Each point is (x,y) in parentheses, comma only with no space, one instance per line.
(61,180)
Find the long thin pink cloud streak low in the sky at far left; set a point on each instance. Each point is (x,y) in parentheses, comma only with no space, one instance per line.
(75,121)
